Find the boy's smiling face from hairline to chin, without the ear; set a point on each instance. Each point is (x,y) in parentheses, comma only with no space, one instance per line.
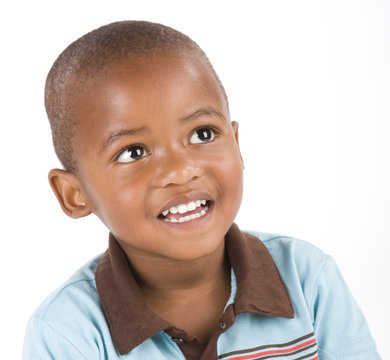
(155,135)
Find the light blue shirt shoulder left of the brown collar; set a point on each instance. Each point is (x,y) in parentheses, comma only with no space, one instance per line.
(70,323)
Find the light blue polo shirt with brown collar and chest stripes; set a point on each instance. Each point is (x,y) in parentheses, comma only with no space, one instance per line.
(288,301)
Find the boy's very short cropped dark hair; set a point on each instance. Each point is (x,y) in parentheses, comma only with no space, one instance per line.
(83,59)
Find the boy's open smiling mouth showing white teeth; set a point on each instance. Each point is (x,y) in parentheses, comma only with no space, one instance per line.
(186,212)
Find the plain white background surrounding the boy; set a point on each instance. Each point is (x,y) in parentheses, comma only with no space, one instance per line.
(309,82)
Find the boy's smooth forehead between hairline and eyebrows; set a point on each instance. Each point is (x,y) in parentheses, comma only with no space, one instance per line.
(142,82)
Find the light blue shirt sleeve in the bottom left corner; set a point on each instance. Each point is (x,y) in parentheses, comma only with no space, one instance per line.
(42,342)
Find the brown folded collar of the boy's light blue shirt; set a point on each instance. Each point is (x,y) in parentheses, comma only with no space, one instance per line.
(260,290)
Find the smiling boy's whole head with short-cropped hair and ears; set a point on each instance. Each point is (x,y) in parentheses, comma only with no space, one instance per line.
(142,124)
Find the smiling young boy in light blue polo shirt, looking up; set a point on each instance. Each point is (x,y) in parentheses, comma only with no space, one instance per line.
(140,122)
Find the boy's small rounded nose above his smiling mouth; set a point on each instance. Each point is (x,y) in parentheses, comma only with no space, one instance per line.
(177,168)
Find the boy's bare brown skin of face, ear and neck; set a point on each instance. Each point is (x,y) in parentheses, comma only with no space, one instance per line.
(158,103)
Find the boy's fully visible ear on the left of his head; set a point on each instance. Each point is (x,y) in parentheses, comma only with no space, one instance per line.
(69,193)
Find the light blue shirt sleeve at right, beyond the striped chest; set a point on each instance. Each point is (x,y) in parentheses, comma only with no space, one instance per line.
(342,332)
